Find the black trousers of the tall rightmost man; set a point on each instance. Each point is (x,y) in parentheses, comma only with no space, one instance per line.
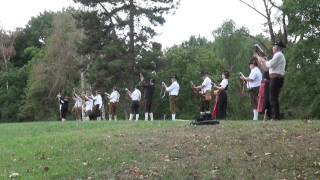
(275,87)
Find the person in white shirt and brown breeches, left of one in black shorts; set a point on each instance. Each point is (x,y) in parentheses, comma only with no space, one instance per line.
(114,98)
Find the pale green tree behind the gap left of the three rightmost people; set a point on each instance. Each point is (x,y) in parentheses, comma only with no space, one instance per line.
(235,51)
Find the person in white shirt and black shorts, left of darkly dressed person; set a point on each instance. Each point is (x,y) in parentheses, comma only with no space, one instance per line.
(135,103)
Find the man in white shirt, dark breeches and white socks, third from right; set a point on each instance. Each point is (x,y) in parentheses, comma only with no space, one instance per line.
(253,84)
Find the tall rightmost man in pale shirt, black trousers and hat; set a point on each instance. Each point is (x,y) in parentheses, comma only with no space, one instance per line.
(276,67)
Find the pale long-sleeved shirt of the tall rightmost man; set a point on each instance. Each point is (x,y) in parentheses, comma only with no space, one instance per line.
(277,64)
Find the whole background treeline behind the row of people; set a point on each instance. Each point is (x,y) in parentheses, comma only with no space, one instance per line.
(110,43)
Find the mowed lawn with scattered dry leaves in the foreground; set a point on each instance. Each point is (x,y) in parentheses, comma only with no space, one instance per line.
(160,150)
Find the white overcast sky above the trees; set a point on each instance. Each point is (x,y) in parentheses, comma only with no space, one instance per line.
(193,17)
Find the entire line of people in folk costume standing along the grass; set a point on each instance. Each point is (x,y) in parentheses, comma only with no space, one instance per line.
(264,89)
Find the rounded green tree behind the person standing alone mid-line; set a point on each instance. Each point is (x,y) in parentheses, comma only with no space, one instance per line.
(187,62)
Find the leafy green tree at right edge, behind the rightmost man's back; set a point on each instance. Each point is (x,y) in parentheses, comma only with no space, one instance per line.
(302,88)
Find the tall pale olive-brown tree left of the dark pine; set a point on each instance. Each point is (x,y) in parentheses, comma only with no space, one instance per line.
(56,69)
